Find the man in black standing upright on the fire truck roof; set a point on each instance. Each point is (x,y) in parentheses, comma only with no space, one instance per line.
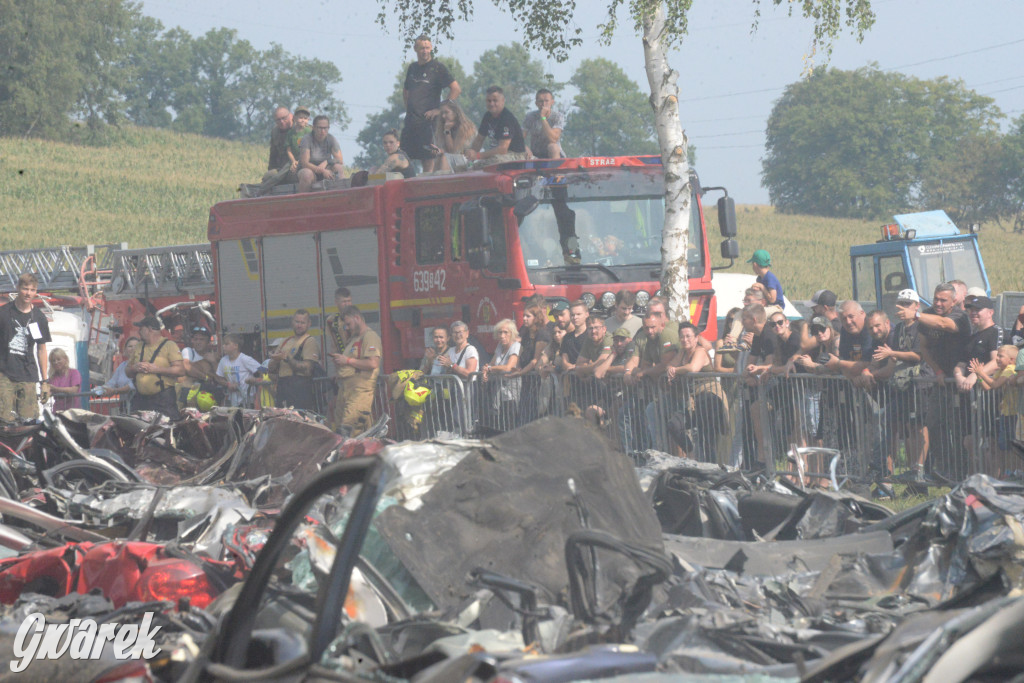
(422,95)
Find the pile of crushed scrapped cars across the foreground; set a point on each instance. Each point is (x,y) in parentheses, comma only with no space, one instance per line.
(262,545)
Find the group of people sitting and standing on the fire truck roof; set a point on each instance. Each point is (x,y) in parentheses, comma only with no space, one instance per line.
(437,135)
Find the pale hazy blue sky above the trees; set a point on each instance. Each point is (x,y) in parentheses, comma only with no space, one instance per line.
(730,77)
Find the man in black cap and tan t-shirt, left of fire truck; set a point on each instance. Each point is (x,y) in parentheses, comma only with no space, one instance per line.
(154,366)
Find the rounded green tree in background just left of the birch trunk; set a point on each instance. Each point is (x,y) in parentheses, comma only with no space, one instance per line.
(611,116)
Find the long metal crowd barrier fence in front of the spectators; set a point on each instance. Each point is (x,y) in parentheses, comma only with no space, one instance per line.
(735,420)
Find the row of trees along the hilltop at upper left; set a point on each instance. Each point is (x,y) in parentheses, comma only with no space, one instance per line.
(103,62)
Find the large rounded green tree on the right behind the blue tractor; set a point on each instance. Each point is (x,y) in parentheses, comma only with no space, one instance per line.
(868,144)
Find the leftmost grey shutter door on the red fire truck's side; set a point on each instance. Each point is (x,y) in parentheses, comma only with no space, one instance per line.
(238,269)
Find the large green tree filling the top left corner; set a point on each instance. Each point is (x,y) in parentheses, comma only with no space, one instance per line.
(58,58)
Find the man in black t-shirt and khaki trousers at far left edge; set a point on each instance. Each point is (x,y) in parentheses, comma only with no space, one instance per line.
(24,335)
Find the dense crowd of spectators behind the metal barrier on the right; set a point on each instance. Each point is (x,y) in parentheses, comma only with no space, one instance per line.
(918,368)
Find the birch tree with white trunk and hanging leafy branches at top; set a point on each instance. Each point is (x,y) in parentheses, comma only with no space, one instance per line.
(661,24)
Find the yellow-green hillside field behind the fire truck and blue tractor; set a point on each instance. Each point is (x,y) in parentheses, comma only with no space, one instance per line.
(154,187)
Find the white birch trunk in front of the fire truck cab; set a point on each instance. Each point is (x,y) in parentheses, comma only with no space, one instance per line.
(665,101)
